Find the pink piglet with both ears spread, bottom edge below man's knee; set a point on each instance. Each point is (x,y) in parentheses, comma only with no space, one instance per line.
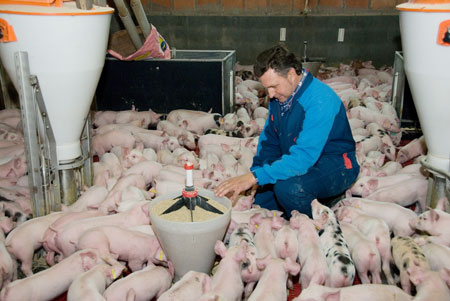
(272,285)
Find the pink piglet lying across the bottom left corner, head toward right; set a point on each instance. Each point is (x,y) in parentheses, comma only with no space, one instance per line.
(52,282)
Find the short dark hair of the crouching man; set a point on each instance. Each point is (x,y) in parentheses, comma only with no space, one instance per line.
(278,58)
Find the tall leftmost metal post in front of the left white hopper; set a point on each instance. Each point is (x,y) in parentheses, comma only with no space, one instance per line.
(29,118)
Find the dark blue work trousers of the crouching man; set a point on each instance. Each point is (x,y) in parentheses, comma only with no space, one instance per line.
(328,178)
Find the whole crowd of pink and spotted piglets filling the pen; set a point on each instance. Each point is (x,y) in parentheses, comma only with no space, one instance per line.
(103,247)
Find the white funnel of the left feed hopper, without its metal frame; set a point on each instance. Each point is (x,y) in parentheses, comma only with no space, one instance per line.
(66,49)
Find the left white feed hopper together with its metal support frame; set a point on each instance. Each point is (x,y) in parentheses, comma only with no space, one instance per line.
(54,53)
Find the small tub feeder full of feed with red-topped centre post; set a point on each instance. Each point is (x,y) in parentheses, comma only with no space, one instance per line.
(188,226)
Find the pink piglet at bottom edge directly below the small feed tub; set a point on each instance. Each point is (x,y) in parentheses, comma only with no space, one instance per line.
(189,288)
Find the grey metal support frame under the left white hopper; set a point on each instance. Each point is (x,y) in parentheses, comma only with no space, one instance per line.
(49,180)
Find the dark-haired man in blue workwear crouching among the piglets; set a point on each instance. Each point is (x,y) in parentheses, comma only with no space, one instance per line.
(306,149)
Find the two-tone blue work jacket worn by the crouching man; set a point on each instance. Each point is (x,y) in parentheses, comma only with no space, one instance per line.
(315,125)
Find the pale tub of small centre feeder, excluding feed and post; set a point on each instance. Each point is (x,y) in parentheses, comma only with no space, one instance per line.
(190,245)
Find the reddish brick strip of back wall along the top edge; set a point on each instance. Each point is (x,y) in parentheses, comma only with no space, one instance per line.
(269,7)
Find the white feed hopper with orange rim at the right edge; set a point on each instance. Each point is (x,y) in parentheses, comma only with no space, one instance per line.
(425,34)
